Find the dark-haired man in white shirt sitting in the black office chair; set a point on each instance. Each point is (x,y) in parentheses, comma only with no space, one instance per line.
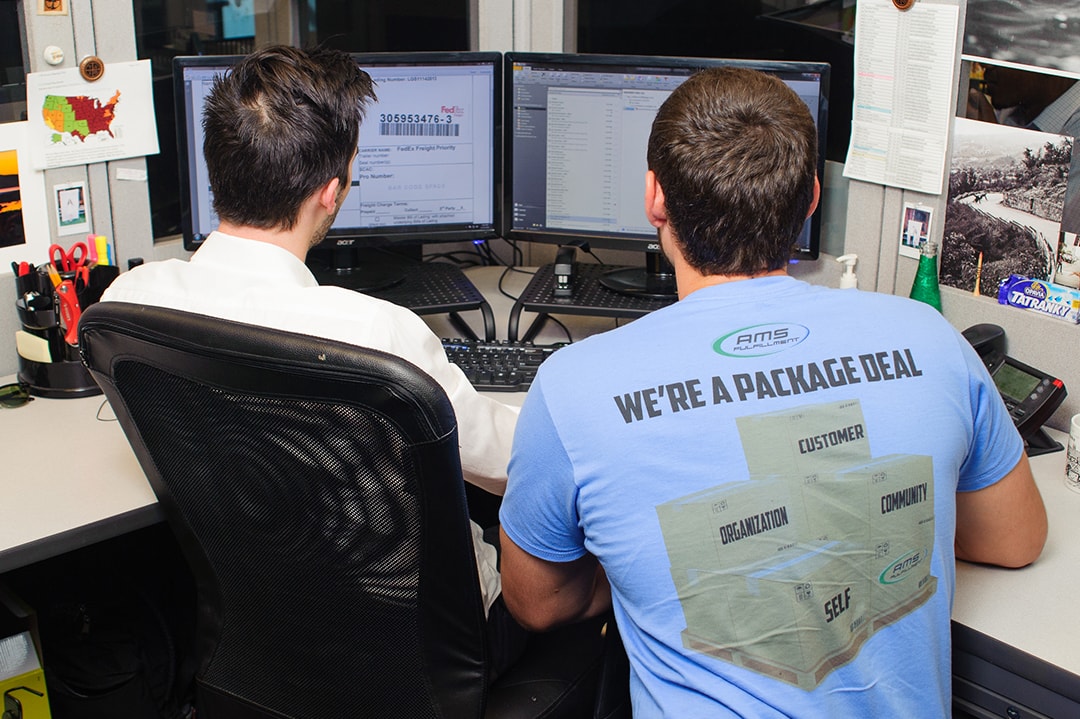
(281,133)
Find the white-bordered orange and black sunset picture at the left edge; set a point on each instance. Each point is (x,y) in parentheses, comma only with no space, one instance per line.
(24,225)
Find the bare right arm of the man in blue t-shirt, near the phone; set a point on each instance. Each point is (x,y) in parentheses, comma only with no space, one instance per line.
(1004,524)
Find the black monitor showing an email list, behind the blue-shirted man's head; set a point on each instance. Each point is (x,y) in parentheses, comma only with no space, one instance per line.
(577,134)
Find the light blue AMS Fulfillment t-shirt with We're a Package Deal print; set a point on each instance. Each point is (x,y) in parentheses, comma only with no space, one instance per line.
(767,472)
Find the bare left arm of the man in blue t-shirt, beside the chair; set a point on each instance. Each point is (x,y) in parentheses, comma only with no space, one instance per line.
(542,594)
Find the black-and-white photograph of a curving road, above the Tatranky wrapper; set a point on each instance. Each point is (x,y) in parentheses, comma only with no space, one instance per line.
(1006,194)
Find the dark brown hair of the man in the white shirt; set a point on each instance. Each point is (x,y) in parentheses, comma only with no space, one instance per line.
(279,126)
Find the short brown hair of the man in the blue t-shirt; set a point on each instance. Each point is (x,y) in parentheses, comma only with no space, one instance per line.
(736,154)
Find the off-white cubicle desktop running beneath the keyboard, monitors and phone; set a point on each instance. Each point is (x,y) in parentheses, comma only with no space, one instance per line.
(53,504)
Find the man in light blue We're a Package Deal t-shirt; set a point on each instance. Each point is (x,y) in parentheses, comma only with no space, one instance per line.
(769,482)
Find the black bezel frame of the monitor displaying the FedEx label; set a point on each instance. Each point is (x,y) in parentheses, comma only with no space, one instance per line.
(364,238)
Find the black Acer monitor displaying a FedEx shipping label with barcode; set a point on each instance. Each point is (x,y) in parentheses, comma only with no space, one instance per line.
(428,167)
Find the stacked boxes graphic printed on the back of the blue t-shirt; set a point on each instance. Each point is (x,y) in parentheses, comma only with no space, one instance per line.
(789,573)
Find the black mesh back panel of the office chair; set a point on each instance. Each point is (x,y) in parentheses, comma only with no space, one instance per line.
(305,522)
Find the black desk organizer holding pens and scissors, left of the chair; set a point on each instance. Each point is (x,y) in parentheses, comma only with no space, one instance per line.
(49,365)
